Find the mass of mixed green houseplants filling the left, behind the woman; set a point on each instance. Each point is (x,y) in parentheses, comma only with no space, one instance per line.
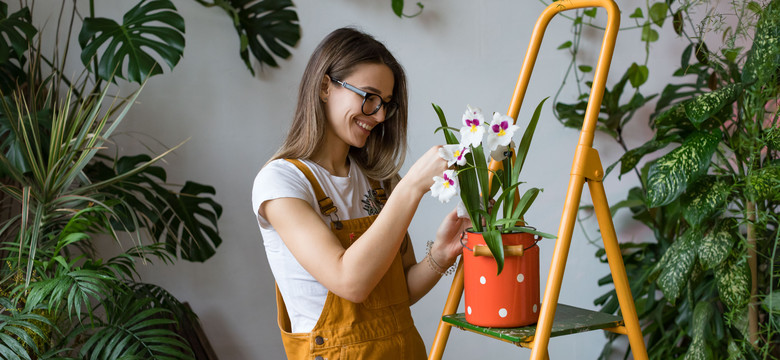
(62,193)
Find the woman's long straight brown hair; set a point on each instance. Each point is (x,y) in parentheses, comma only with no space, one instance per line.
(336,56)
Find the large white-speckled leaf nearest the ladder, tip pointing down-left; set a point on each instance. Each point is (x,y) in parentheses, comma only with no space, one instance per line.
(669,176)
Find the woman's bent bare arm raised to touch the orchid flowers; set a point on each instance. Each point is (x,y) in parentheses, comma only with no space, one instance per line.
(354,272)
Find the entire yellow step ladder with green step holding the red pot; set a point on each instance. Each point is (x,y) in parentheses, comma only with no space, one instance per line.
(557,319)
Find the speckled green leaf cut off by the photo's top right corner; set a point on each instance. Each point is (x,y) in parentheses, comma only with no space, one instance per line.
(764,56)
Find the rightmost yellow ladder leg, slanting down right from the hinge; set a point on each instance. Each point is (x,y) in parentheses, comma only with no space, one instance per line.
(618,269)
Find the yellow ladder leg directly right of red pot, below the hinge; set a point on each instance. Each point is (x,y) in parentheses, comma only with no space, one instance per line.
(555,278)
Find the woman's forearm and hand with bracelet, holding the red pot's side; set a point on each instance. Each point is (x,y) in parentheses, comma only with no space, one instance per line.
(421,277)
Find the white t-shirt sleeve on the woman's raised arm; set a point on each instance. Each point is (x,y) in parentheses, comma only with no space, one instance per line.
(278,179)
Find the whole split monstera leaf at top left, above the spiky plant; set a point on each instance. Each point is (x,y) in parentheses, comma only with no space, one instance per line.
(152,25)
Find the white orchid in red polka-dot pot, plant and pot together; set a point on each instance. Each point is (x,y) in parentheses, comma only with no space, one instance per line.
(501,259)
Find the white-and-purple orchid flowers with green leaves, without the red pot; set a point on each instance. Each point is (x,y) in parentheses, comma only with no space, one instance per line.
(489,196)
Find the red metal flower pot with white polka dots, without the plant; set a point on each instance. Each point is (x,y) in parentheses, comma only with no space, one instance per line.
(510,299)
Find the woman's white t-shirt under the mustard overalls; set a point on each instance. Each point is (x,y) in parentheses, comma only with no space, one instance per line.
(303,295)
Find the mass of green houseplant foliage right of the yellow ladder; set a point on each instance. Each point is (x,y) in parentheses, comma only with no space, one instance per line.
(711,197)
